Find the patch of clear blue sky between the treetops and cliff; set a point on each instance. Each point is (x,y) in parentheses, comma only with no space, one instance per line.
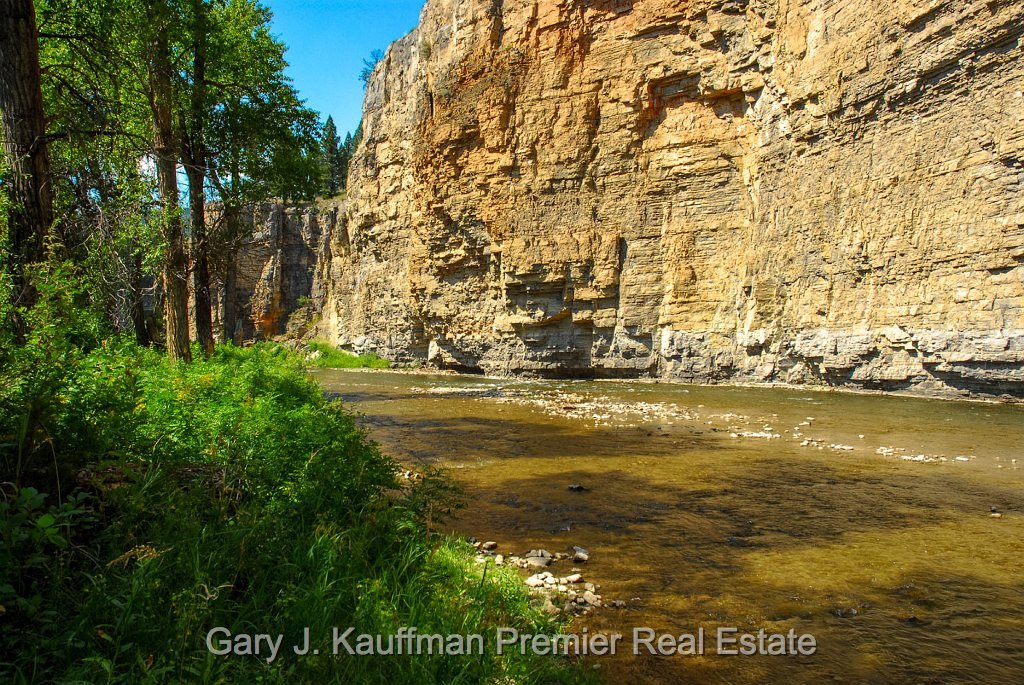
(327,44)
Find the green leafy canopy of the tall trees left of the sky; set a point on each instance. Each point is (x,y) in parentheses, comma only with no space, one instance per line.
(261,141)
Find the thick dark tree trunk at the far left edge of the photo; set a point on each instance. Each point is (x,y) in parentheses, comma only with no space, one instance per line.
(31,210)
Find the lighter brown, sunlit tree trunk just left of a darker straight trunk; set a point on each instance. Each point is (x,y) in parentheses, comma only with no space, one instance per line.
(176,272)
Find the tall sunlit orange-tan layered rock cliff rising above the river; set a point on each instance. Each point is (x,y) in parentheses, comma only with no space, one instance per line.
(825,192)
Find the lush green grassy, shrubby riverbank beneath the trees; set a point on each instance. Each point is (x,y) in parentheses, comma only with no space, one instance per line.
(226,493)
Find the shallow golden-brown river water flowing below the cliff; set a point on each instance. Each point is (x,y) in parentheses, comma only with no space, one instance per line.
(864,521)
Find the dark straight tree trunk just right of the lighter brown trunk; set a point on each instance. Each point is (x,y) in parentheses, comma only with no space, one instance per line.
(195,151)
